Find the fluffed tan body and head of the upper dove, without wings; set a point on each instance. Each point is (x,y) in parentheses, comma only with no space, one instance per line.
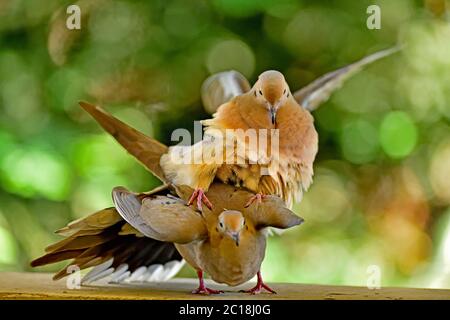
(269,105)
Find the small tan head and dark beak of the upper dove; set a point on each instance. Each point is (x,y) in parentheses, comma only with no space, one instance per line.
(271,91)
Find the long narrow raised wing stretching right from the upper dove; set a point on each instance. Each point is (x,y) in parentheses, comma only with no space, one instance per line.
(320,90)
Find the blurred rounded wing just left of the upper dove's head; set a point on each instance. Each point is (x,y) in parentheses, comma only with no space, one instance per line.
(221,88)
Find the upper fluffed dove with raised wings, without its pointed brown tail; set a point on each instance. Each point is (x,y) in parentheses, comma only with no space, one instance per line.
(286,171)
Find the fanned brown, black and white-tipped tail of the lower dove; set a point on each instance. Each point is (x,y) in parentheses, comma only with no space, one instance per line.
(114,249)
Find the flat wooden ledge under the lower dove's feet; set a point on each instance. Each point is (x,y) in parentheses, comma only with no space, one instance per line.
(40,286)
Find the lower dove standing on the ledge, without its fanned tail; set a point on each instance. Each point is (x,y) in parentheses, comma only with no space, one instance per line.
(227,243)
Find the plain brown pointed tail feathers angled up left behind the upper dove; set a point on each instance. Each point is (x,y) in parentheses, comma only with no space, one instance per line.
(146,150)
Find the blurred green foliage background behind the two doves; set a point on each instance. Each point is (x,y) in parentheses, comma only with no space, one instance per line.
(381,193)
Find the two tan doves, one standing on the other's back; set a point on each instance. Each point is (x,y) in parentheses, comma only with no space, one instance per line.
(146,235)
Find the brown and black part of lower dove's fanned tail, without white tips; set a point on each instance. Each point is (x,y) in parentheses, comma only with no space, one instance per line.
(100,237)
